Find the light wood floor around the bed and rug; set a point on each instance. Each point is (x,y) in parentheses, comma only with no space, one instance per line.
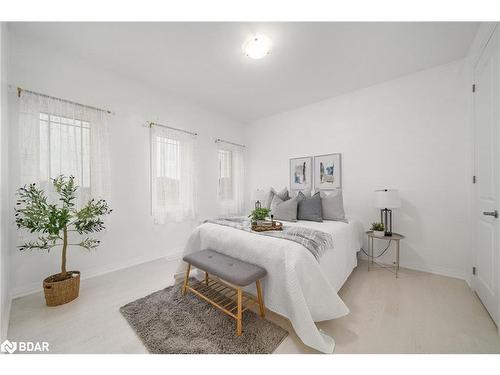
(417,313)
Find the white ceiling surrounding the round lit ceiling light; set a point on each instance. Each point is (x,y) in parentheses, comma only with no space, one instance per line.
(309,61)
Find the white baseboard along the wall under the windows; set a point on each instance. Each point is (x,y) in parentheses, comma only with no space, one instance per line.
(98,271)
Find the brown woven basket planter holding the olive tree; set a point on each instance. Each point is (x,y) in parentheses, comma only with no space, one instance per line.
(60,291)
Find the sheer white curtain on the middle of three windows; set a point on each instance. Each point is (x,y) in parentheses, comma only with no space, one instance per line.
(173,175)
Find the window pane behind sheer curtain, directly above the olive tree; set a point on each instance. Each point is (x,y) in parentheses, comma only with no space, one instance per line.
(64,148)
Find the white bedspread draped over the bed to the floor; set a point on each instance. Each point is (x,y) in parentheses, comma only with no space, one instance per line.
(296,285)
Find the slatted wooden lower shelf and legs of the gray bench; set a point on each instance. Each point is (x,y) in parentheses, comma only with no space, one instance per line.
(228,298)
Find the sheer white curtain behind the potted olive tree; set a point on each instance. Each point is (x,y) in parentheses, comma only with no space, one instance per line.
(57,137)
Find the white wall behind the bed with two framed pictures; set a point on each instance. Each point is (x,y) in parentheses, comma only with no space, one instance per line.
(412,134)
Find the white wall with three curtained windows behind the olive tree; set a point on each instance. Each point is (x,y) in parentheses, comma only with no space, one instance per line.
(131,236)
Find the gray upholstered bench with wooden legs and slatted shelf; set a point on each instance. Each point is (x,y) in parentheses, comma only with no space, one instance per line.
(225,292)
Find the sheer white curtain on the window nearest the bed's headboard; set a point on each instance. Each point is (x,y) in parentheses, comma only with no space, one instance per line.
(231,176)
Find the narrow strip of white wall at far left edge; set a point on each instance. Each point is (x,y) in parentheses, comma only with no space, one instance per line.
(4,188)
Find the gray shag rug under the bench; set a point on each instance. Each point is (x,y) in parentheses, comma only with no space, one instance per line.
(169,323)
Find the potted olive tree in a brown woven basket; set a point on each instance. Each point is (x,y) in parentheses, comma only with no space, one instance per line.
(53,222)
